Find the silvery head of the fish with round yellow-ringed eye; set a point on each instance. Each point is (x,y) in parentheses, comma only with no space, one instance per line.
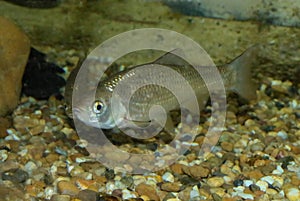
(98,111)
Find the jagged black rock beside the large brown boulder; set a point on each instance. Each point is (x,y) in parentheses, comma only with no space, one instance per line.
(41,79)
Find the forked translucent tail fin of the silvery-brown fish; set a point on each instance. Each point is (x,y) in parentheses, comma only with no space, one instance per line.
(242,65)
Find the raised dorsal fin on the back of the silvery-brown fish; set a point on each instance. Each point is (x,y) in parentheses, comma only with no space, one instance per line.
(171,58)
